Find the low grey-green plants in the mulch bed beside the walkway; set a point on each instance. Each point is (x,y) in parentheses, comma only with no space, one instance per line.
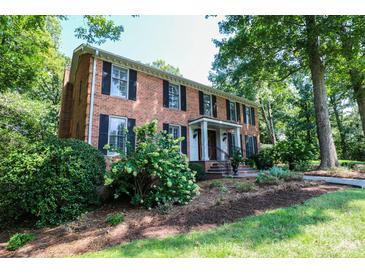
(277,175)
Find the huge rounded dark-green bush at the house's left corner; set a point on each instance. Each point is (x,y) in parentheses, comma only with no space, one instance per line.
(50,182)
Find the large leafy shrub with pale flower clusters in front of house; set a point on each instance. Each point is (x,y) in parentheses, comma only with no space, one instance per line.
(155,173)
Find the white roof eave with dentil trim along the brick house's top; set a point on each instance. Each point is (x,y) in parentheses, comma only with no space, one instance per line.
(123,61)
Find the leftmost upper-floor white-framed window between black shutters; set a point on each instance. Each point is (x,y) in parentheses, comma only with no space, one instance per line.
(119,82)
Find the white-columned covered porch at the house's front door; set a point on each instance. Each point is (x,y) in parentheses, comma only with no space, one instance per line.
(212,139)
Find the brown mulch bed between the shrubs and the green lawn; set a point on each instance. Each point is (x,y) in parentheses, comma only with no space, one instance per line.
(209,209)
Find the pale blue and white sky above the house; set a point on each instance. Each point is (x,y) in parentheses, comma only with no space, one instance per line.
(182,41)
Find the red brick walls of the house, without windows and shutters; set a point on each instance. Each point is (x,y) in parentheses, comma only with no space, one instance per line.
(148,106)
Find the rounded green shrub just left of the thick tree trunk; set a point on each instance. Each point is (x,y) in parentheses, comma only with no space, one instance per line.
(294,152)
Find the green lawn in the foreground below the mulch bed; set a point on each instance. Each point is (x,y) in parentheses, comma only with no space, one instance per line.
(331,225)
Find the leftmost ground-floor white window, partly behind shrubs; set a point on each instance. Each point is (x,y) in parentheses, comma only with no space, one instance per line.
(117,134)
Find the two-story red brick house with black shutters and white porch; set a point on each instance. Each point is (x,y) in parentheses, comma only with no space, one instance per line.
(105,93)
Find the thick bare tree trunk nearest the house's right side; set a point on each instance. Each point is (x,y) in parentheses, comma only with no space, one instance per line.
(326,145)
